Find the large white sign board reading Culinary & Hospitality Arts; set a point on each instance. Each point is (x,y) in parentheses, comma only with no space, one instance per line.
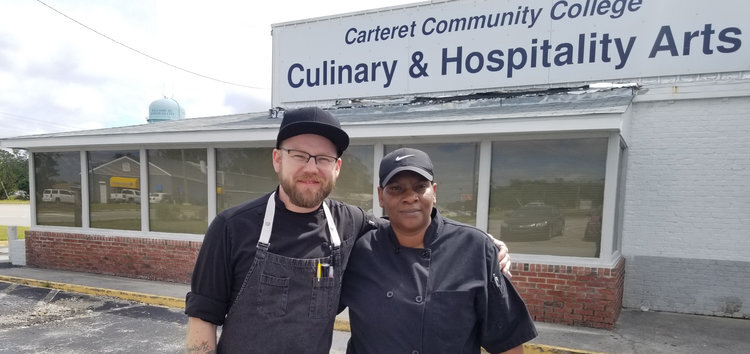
(481,45)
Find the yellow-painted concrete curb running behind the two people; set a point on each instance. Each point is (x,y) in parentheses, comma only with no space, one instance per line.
(173,302)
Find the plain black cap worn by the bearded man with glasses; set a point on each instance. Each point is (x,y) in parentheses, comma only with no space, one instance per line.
(312,120)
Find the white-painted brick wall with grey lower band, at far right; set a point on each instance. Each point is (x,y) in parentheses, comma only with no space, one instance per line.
(685,229)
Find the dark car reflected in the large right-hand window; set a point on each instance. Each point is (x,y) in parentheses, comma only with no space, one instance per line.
(532,221)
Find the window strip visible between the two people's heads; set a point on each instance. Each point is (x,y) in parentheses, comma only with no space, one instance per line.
(354,185)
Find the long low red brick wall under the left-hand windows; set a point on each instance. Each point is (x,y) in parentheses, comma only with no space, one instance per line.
(143,258)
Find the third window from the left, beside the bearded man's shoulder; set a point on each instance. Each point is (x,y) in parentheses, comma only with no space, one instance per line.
(178,191)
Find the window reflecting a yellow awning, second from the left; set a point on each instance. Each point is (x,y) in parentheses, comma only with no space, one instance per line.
(114,189)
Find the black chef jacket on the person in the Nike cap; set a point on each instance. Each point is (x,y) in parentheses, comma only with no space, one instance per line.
(449,297)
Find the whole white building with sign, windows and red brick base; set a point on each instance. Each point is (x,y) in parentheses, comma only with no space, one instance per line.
(605,142)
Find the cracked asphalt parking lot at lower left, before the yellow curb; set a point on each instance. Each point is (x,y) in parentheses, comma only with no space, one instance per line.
(41,320)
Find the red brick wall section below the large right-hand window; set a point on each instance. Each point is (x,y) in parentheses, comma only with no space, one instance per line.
(580,296)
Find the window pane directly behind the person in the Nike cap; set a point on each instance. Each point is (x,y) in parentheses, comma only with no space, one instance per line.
(456,167)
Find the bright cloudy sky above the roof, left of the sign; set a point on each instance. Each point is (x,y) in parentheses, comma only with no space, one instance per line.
(68,65)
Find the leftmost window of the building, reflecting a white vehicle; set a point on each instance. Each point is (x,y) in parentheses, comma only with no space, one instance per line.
(58,188)
